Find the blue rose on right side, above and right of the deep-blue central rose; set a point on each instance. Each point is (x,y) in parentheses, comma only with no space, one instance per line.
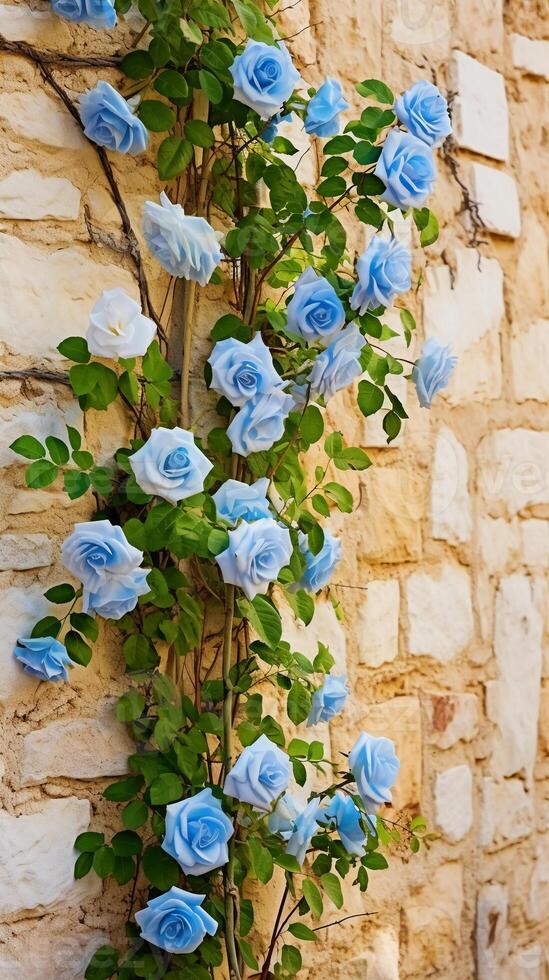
(384,271)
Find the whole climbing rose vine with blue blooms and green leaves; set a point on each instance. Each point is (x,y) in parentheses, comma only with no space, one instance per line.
(197,537)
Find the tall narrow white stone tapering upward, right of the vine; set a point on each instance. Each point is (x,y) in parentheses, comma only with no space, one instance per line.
(451,516)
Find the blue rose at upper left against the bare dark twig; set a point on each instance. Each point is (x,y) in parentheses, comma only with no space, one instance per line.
(109,121)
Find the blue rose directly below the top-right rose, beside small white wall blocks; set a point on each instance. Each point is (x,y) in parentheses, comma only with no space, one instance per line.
(407,168)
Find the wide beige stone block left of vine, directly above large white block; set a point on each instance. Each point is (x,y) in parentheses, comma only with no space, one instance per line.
(78,748)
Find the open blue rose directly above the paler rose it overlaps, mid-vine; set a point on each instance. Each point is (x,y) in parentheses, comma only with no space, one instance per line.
(243,371)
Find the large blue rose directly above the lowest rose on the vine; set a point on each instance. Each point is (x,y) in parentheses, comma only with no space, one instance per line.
(197,832)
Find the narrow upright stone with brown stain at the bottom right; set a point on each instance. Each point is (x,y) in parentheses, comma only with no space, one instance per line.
(492,932)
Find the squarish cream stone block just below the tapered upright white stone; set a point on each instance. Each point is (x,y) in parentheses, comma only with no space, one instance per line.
(440,613)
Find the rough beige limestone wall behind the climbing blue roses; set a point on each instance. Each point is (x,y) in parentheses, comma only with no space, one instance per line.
(442,583)
